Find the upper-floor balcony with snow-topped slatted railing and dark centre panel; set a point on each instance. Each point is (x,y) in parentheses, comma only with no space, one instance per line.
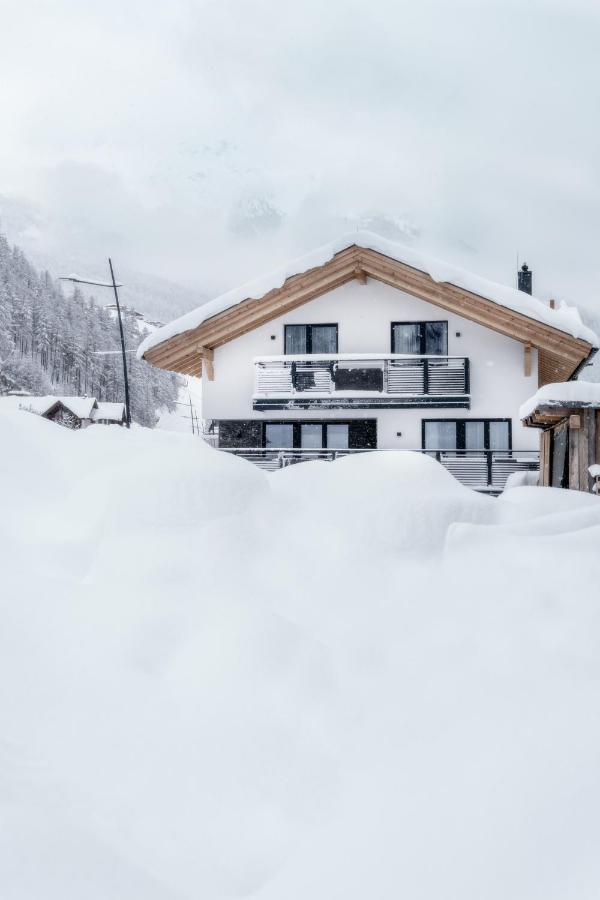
(357,381)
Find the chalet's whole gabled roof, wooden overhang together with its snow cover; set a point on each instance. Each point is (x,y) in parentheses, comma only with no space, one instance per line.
(181,345)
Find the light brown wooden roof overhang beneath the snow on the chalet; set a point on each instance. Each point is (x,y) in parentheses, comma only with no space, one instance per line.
(560,353)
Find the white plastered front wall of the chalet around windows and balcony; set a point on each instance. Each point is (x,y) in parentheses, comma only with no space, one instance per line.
(364,314)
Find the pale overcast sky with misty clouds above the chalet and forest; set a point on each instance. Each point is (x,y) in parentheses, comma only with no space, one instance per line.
(208,140)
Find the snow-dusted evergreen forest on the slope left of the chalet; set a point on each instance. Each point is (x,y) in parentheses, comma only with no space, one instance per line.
(51,343)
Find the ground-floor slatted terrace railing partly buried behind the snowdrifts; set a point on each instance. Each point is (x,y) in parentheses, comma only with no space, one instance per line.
(481,470)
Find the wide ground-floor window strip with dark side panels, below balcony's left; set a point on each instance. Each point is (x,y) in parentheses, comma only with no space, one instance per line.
(356,434)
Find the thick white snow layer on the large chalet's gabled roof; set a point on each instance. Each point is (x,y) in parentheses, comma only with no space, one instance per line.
(564,318)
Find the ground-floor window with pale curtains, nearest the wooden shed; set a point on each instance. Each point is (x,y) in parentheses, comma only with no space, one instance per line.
(467,434)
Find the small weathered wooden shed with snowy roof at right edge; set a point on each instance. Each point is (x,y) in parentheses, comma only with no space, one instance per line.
(568,413)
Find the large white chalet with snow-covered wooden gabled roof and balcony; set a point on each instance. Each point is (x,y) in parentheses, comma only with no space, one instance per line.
(365,344)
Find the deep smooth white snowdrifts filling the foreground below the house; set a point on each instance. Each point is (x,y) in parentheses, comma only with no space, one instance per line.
(345,680)
